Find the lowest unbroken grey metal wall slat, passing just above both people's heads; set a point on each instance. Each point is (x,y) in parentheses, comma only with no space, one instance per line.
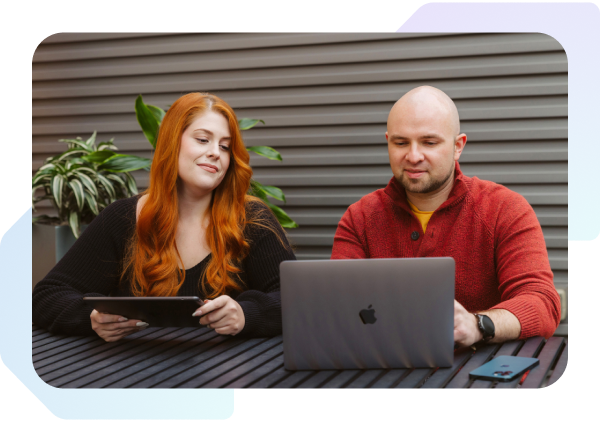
(335,74)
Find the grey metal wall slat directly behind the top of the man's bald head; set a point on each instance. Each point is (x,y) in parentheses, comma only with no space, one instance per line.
(539,85)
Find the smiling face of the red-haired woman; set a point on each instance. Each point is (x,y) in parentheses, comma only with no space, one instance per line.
(204,154)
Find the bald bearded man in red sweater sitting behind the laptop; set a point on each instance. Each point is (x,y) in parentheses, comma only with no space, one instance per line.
(504,285)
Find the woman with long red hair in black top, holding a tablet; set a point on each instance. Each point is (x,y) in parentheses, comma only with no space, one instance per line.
(194,232)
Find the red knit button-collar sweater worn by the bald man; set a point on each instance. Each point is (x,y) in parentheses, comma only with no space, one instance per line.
(491,232)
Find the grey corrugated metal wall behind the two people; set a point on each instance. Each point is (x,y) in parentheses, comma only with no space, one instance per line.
(325,100)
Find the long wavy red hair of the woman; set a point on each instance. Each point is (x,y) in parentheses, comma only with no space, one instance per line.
(152,258)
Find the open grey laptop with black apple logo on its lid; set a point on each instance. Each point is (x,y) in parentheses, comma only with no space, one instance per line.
(368,313)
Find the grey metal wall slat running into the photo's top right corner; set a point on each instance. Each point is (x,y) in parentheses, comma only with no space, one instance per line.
(370,51)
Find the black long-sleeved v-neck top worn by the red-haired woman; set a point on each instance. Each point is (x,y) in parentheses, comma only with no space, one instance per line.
(92,268)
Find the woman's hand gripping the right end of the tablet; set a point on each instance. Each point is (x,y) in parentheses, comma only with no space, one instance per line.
(223,314)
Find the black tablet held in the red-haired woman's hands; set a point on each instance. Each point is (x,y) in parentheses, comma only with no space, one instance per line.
(156,311)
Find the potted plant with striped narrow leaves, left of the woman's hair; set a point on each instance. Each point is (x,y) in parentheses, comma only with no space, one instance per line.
(80,183)
